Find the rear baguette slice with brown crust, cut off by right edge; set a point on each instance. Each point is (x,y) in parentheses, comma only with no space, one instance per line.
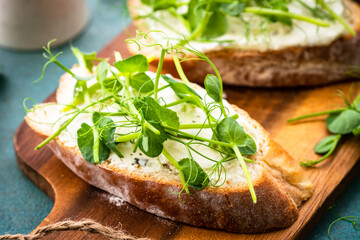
(289,67)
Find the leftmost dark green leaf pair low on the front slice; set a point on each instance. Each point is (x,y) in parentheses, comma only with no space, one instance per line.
(86,144)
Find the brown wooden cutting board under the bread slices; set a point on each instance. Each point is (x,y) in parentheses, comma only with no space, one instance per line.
(75,199)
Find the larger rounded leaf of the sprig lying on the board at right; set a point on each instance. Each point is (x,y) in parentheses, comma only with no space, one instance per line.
(344,122)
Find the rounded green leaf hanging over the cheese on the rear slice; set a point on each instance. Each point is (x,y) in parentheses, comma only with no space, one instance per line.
(217,25)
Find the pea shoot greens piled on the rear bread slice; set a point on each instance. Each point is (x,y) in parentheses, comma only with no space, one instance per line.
(208,19)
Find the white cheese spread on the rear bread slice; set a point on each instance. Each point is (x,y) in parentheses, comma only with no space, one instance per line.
(262,35)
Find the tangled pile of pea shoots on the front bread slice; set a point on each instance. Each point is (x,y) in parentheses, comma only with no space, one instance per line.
(129,90)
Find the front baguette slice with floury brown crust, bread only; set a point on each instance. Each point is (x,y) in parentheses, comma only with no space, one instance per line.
(279,181)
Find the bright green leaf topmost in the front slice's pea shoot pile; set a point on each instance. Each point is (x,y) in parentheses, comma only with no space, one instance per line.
(133,64)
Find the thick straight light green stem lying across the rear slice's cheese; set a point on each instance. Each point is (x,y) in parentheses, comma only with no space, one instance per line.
(274,12)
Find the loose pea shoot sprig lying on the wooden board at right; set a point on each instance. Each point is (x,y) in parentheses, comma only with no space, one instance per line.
(342,121)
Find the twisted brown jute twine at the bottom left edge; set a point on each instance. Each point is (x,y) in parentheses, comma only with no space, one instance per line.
(86,225)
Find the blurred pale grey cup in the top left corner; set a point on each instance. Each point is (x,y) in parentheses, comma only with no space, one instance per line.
(30,24)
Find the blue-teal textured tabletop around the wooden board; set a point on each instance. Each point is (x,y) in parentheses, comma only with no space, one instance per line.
(22,205)
